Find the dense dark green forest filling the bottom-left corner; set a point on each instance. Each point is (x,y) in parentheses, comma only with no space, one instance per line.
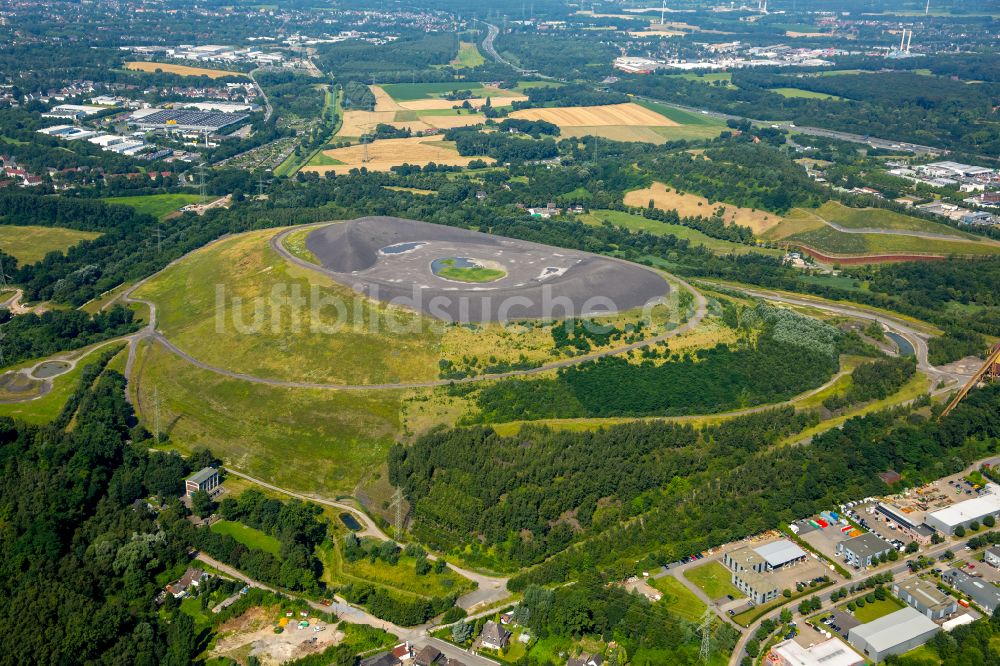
(77,559)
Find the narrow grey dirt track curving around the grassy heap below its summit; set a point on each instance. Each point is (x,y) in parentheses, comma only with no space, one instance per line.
(151,333)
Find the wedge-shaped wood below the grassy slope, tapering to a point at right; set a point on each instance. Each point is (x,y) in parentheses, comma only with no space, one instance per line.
(469,482)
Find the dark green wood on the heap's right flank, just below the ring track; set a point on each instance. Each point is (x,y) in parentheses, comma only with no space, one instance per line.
(790,354)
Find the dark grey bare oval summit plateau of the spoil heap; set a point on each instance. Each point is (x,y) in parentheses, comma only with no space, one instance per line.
(390,259)
